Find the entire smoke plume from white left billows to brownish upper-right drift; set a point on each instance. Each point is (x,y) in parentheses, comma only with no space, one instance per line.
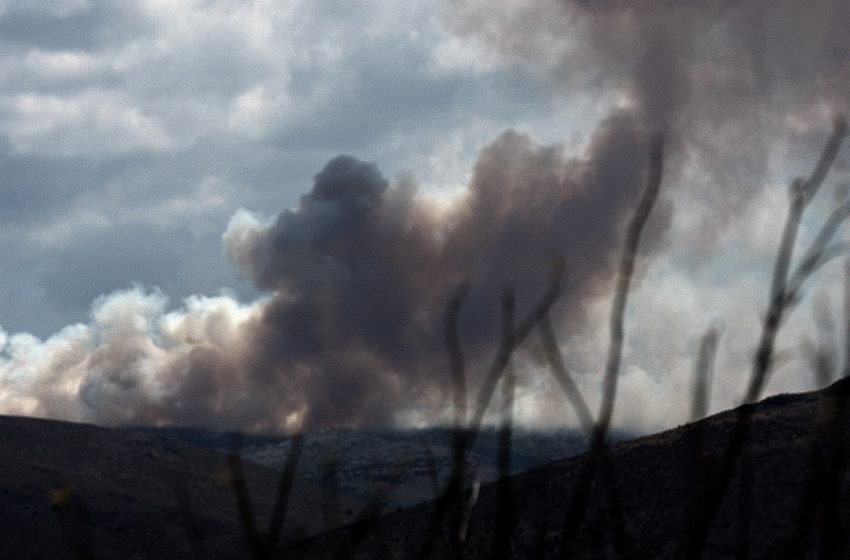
(358,275)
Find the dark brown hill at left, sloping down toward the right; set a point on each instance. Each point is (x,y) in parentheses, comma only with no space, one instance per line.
(77,491)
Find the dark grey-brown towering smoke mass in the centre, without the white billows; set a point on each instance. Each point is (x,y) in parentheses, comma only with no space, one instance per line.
(361,271)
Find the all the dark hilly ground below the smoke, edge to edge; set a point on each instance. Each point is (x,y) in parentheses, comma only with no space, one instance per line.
(80,491)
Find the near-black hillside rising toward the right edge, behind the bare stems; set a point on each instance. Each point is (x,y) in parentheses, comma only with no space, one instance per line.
(791,501)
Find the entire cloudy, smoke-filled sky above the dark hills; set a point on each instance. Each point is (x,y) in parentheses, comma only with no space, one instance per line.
(253,214)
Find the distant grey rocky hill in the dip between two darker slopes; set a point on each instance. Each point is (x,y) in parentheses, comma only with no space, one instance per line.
(400,465)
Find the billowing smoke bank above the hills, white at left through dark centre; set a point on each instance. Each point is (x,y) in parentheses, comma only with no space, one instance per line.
(358,277)
